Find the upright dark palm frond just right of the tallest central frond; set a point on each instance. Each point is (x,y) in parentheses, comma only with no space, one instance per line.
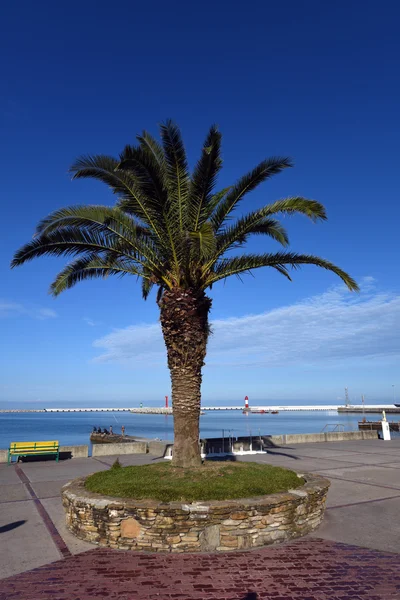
(201,202)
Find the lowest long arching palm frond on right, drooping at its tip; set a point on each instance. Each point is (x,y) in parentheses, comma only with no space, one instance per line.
(281,261)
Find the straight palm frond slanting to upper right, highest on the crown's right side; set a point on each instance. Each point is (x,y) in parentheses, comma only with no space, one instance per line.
(265,170)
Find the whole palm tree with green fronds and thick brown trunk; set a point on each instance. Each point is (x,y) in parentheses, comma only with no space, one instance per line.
(171,229)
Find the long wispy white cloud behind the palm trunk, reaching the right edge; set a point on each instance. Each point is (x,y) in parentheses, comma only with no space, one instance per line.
(329,328)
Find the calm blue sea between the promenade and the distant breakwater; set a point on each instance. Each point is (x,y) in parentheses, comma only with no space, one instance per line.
(75,428)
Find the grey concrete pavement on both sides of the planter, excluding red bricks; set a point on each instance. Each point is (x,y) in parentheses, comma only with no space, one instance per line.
(363,503)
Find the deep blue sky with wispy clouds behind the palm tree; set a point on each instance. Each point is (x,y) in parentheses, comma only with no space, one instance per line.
(314,81)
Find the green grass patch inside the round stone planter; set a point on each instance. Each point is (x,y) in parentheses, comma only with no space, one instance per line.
(212,481)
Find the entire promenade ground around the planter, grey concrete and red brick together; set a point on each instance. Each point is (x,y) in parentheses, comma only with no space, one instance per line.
(353,555)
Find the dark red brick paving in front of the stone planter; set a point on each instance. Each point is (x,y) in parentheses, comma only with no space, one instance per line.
(309,569)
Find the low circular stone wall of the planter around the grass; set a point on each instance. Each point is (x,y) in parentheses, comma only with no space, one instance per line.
(214,525)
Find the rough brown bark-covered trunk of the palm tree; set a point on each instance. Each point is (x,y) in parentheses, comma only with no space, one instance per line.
(184,322)
